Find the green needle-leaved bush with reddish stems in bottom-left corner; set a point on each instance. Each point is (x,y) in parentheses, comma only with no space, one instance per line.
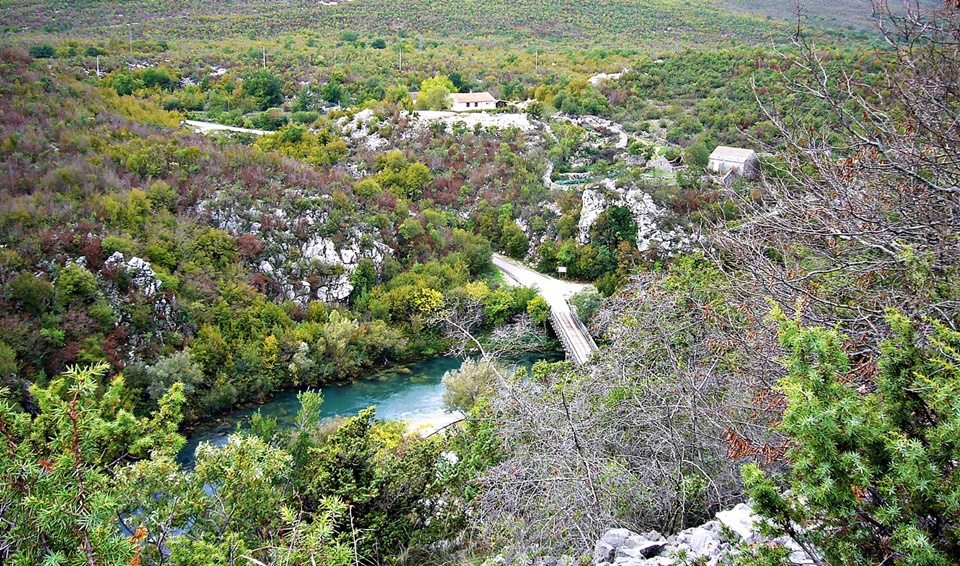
(61,491)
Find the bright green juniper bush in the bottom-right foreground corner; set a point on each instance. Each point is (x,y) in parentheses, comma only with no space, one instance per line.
(873,468)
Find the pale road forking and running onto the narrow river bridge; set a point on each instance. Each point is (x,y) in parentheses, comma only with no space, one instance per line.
(576,340)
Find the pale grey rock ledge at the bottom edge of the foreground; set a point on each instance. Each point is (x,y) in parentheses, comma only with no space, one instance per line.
(713,543)
